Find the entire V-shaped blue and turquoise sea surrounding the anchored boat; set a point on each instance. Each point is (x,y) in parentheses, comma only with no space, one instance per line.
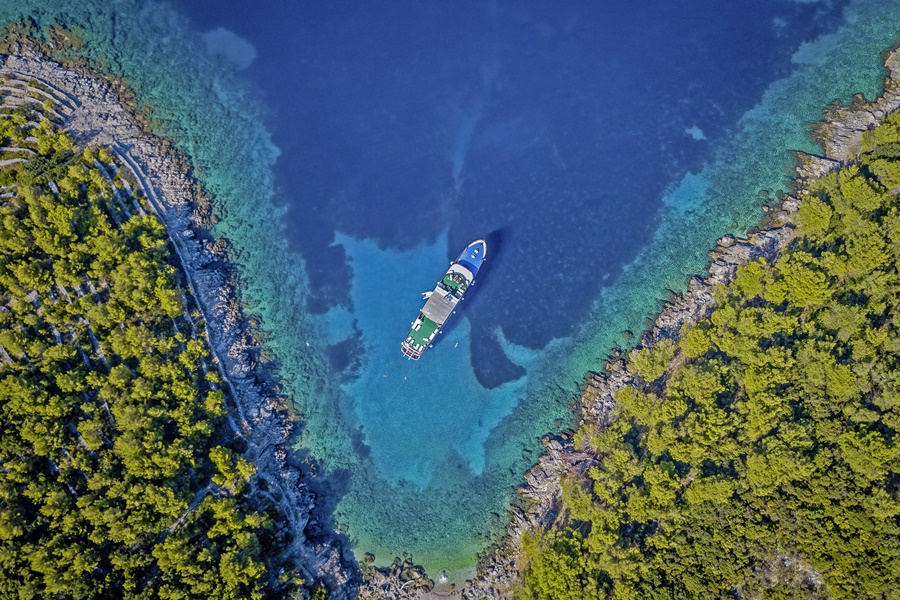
(354,148)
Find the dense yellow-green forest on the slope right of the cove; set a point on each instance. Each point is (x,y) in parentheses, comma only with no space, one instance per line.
(757,454)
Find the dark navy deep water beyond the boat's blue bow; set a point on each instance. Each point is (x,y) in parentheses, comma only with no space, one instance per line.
(556,127)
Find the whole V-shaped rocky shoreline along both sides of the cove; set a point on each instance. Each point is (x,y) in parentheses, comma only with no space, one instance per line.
(95,114)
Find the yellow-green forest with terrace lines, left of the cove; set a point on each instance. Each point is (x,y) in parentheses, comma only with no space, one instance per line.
(119,473)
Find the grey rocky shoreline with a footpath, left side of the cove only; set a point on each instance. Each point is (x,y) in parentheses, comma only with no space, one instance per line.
(93,112)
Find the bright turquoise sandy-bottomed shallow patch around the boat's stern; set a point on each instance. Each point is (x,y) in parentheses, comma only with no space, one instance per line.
(449,399)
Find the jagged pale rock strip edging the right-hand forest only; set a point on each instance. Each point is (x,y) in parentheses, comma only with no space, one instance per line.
(840,134)
